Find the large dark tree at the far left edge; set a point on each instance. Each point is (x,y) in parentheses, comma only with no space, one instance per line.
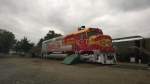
(7,40)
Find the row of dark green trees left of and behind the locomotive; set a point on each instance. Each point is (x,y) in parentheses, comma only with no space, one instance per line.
(8,43)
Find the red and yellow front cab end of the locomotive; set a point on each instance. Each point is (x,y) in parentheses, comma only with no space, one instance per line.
(96,47)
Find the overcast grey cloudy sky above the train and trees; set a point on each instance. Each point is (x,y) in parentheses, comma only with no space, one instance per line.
(33,18)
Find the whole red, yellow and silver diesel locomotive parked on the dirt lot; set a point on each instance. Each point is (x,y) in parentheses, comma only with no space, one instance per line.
(90,44)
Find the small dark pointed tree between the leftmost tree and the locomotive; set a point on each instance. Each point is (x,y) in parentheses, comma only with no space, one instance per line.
(23,45)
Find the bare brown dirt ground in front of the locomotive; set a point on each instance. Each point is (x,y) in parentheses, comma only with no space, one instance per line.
(36,71)
